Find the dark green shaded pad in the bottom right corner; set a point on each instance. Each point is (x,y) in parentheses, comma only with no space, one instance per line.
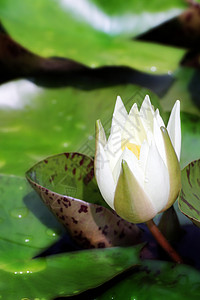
(156,280)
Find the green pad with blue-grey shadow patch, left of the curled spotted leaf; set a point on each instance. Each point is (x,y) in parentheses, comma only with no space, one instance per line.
(19,225)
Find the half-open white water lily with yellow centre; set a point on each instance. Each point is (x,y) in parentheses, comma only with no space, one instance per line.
(137,169)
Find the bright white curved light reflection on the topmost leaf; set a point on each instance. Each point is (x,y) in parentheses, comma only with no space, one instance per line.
(113,25)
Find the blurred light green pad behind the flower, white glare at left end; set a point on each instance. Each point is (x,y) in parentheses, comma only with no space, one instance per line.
(36,122)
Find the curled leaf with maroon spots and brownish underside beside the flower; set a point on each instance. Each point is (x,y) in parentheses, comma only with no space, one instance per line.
(67,185)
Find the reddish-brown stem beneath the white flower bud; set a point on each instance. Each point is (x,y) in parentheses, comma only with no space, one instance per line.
(163,242)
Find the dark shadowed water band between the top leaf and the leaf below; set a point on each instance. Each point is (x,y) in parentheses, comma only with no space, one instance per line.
(18,62)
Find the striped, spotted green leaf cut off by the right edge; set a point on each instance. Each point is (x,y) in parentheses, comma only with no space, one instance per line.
(189,198)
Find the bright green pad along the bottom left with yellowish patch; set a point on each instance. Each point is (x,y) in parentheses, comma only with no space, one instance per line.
(62,275)
